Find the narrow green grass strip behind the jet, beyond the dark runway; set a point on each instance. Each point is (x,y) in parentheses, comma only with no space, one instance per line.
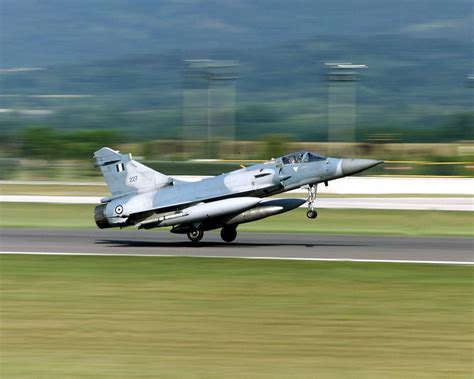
(338,221)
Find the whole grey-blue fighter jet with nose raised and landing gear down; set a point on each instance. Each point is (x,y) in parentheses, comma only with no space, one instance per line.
(148,199)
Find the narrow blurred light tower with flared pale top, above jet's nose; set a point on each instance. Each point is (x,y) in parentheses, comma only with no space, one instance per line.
(342,77)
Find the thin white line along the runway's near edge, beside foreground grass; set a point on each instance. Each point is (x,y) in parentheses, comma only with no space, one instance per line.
(237,257)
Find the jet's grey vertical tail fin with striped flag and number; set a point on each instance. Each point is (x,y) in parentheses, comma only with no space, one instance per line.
(123,175)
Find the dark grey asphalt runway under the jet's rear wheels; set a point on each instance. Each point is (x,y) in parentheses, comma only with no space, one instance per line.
(441,250)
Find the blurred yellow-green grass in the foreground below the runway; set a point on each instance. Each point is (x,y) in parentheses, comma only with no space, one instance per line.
(110,317)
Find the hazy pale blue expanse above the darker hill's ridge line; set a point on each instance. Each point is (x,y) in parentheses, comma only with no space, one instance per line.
(47,32)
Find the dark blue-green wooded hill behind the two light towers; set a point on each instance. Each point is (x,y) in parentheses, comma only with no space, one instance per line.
(411,85)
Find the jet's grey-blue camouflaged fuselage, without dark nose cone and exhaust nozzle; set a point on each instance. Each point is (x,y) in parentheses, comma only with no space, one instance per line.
(260,180)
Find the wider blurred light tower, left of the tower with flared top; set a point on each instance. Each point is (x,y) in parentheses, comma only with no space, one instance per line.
(209,102)
